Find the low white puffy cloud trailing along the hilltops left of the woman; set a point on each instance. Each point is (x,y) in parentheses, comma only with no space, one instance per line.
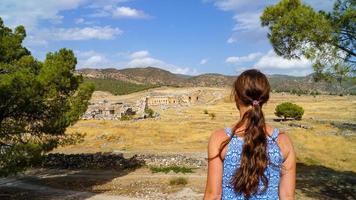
(143,59)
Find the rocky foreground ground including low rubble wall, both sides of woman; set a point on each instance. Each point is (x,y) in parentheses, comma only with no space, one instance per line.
(119,176)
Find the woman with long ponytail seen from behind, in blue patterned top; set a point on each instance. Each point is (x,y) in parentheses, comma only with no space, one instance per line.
(252,160)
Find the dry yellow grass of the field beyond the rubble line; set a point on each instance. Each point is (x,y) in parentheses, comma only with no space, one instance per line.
(187,129)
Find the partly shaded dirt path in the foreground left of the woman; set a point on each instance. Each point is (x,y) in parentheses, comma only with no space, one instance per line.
(41,186)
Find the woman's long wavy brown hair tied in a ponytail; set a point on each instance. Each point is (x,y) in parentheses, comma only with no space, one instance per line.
(251,88)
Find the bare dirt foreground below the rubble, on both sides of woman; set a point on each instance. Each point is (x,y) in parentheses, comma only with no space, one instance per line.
(313,182)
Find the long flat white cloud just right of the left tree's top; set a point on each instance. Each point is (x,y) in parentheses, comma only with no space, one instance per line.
(86,33)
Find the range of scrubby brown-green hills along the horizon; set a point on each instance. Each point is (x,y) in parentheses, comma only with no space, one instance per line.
(144,78)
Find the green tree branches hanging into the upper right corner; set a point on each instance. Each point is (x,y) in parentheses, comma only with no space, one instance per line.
(328,39)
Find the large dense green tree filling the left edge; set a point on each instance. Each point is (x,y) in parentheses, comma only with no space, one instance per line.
(38,100)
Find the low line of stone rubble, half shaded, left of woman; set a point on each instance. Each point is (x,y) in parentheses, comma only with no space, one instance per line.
(117,161)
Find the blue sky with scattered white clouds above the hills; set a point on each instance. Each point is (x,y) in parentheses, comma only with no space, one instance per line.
(182,36)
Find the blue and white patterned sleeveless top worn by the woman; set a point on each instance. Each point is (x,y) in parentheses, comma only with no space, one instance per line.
(272,172)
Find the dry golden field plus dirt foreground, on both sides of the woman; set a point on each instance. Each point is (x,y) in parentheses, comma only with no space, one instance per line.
(326,150)
